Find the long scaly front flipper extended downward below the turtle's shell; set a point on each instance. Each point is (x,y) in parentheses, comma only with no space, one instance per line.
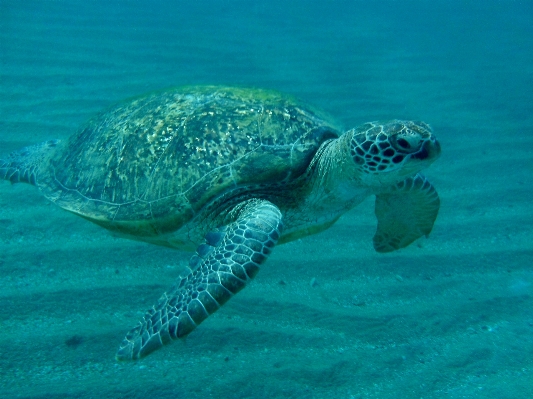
(230,257)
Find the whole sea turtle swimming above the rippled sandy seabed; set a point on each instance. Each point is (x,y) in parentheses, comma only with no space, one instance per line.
(228,173)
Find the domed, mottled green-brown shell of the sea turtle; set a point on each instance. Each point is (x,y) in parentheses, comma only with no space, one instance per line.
(151,163)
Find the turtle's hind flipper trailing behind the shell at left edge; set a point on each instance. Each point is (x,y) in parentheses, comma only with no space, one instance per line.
(22,166)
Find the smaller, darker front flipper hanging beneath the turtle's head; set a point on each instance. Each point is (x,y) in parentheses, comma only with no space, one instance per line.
(405,212)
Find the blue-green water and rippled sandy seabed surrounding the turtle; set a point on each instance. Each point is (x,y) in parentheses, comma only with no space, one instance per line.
(449,316)
